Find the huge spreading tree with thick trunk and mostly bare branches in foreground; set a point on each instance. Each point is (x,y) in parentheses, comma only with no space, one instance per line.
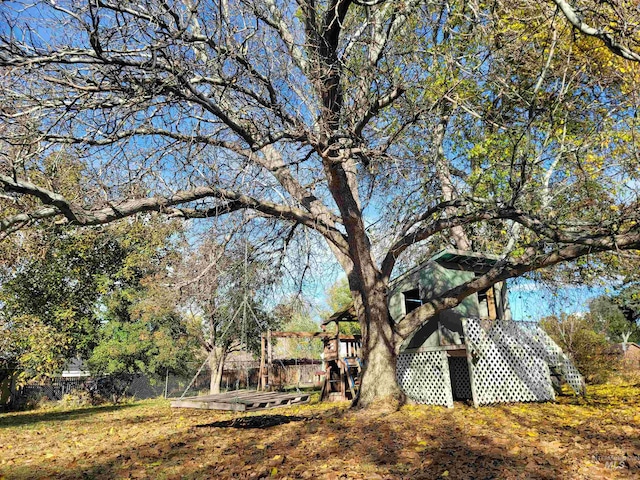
(378,126)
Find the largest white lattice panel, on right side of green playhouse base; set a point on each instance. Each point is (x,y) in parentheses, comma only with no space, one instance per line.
(508,365)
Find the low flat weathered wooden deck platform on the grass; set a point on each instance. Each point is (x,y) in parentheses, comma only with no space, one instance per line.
(241,400)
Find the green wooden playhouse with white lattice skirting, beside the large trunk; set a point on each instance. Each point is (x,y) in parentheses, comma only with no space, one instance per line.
(474,351)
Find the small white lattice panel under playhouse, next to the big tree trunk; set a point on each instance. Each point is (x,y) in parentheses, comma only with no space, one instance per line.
(424,377)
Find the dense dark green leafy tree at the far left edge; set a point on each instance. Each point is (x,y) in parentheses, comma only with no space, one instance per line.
(50,302)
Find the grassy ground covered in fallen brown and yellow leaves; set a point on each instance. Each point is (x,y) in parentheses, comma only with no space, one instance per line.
(572,438)
